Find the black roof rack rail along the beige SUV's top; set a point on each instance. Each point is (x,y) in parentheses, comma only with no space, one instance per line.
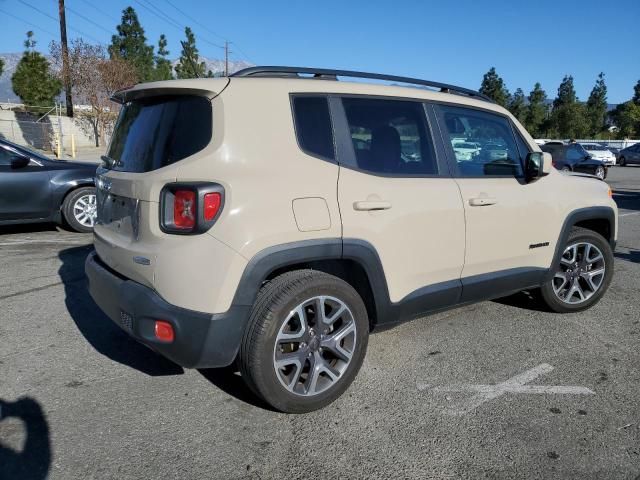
(330,74)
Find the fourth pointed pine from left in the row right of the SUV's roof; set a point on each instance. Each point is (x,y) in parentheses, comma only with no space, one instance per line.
(568,115)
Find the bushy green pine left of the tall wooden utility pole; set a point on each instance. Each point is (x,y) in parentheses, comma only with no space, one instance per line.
(32,81)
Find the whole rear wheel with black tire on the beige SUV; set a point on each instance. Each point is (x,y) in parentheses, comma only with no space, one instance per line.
(305,342)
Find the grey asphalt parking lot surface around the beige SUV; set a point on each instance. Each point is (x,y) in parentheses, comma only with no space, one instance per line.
(500,389)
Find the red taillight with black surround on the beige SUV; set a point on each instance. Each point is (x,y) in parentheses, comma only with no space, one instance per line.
(190,208)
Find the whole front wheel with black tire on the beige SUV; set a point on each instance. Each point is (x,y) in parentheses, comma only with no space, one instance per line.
(582,275)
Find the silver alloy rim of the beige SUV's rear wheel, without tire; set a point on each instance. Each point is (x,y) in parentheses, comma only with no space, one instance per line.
(314,345)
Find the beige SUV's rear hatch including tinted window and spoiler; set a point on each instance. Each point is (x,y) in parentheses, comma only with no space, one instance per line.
(156,129)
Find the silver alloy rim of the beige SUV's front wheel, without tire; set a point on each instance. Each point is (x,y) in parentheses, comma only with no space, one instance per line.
(580,274)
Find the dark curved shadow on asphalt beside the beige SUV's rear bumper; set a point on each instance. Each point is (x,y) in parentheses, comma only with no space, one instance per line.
(97,328)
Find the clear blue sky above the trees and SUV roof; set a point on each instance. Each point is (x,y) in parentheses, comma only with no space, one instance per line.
(452,42)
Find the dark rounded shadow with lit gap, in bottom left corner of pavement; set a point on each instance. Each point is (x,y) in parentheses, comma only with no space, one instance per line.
(34,460)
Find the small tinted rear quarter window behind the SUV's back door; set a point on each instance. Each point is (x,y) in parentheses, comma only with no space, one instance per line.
(313,126)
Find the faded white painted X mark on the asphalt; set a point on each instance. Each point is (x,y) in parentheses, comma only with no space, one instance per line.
(484,393)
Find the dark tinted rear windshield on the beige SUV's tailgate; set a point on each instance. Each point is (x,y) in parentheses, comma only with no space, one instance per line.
(155,132)
